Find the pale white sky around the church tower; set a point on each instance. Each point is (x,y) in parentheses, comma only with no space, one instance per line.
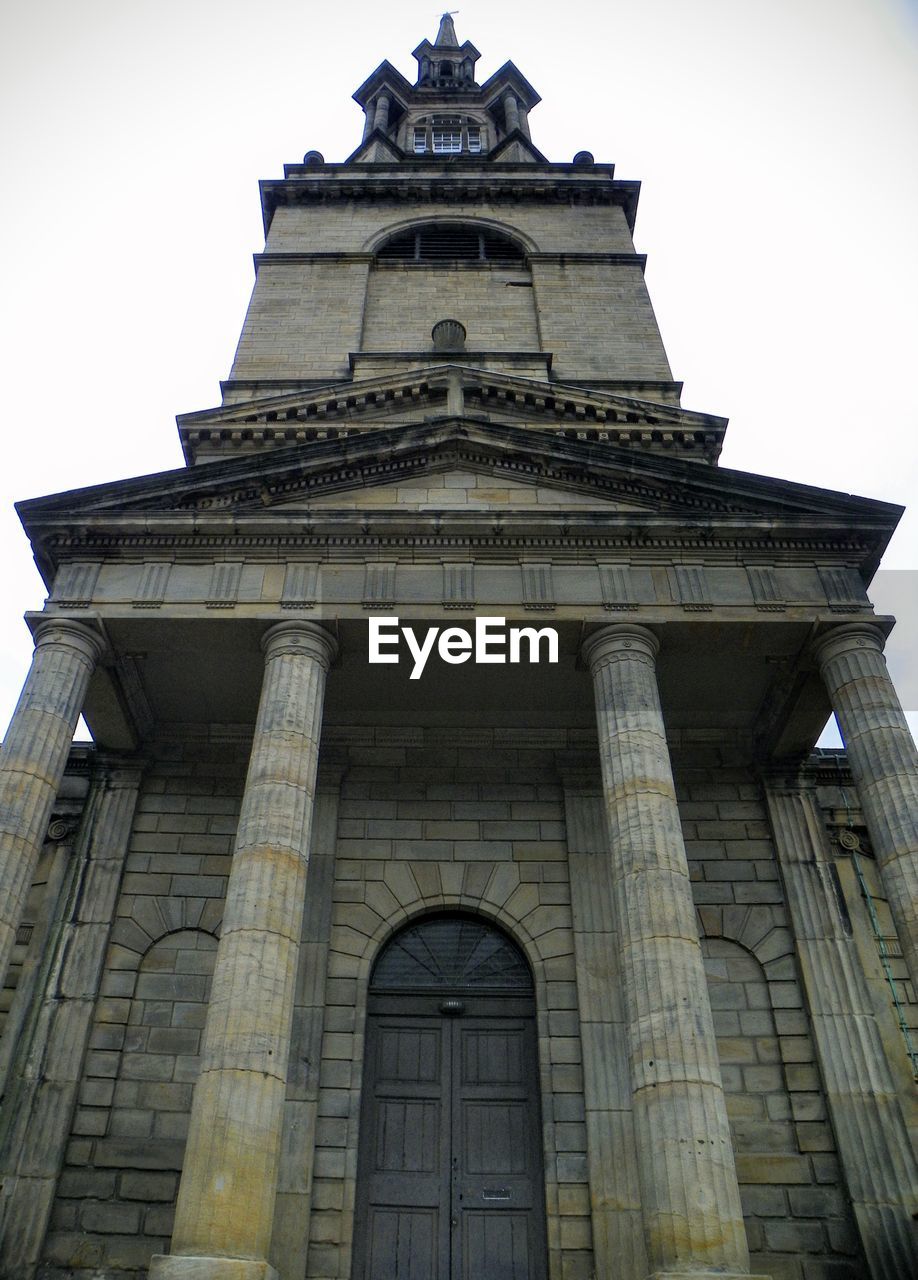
(775,140)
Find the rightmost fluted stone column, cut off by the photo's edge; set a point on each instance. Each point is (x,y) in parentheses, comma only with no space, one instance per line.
(884,761)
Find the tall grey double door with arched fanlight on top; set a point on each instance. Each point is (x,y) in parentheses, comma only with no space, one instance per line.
(450,1181)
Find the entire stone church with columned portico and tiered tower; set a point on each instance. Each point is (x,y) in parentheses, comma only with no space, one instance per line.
(545,948)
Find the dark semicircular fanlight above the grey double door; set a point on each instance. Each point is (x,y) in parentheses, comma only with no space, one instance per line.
(451,953)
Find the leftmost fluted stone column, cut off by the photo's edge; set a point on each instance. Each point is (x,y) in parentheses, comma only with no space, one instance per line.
(35,756)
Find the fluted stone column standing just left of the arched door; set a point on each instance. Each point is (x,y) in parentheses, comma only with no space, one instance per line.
(226,1201)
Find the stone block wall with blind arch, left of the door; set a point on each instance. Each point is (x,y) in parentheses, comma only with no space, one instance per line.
(121,1173)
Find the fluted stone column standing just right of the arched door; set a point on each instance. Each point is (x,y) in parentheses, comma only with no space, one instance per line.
(691,1203)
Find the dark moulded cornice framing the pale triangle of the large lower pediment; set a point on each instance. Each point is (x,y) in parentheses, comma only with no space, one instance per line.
(633,499)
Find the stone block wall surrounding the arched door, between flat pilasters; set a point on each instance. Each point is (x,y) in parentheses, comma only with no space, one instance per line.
(450,820)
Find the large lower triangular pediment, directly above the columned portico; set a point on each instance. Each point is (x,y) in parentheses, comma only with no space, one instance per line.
(394,486)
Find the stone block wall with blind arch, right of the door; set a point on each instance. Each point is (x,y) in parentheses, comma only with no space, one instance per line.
(797,1212)
